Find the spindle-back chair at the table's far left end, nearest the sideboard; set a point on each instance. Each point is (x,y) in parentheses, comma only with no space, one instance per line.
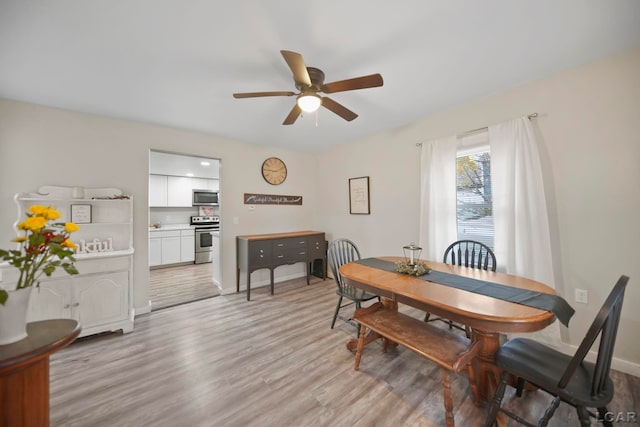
(340,252)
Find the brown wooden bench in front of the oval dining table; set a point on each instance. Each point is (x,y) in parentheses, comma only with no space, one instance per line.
(451,351)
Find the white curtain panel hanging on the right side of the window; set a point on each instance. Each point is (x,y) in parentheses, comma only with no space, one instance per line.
(522,241)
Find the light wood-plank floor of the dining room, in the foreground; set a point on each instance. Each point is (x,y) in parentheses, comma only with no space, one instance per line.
(272,361)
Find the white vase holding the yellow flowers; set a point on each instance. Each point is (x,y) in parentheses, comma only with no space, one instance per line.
(13,316)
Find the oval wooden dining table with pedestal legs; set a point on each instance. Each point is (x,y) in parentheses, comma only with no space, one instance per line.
(489,317)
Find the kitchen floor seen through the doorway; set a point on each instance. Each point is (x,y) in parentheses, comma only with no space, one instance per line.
(177,285)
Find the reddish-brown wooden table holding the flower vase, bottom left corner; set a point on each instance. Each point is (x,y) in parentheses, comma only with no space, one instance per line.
(24,372)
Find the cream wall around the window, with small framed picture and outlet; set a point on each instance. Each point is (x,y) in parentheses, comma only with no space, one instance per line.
(590,149)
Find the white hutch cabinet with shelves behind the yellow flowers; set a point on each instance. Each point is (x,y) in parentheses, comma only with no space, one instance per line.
(100,297)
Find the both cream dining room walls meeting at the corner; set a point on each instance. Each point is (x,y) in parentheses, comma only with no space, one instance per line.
(590,149)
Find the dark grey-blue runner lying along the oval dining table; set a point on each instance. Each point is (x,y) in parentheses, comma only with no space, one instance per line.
(553,303)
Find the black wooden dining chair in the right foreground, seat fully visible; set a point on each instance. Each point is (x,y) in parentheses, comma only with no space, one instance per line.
(569,379)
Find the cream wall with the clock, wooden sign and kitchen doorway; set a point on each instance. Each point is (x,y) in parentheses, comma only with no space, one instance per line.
(48,146)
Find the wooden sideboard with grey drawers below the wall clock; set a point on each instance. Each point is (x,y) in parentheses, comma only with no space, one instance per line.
(254,252)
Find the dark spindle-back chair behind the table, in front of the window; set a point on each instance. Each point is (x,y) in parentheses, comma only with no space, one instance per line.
(470,254)
